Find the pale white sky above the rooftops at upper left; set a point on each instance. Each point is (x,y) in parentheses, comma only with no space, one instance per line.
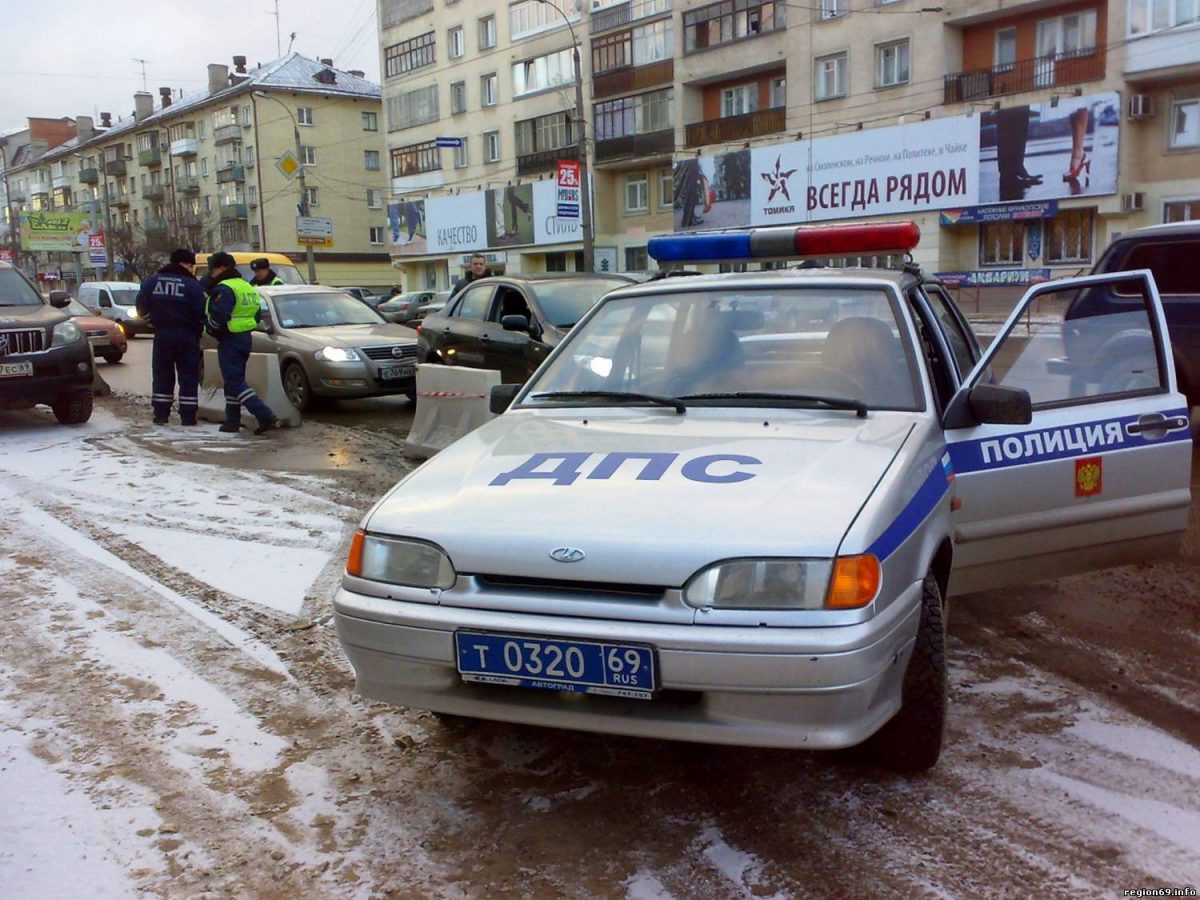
(74,58)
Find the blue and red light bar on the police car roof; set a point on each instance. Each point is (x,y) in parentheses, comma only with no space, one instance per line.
(787,243)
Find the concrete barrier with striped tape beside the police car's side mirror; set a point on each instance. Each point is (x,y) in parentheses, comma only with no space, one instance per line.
(451,403)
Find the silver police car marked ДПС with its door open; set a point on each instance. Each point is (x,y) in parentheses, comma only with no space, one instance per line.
(730,508)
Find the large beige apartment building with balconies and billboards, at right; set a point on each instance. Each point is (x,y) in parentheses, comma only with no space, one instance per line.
(1021,135)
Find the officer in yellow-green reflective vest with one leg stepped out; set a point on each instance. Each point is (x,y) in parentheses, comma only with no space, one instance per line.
(232,316)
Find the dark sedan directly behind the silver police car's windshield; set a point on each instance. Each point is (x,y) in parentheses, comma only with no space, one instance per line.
(511,322)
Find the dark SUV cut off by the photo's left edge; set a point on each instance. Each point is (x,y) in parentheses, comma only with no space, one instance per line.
(45,357)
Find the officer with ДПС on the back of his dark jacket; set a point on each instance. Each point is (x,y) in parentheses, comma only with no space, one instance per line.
(173,302)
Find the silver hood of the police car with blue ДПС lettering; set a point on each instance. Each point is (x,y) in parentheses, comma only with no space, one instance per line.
(721,485)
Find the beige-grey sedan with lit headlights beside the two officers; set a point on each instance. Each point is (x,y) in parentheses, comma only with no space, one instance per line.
(334,346)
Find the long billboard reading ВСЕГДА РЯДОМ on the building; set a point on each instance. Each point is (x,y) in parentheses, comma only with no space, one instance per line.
(1035,153)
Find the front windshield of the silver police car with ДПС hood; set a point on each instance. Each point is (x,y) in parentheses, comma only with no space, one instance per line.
(753,347)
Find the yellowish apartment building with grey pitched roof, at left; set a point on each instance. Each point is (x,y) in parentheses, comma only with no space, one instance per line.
(205,171)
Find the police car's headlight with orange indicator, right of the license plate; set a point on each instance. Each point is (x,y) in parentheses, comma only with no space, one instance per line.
(843,584)
